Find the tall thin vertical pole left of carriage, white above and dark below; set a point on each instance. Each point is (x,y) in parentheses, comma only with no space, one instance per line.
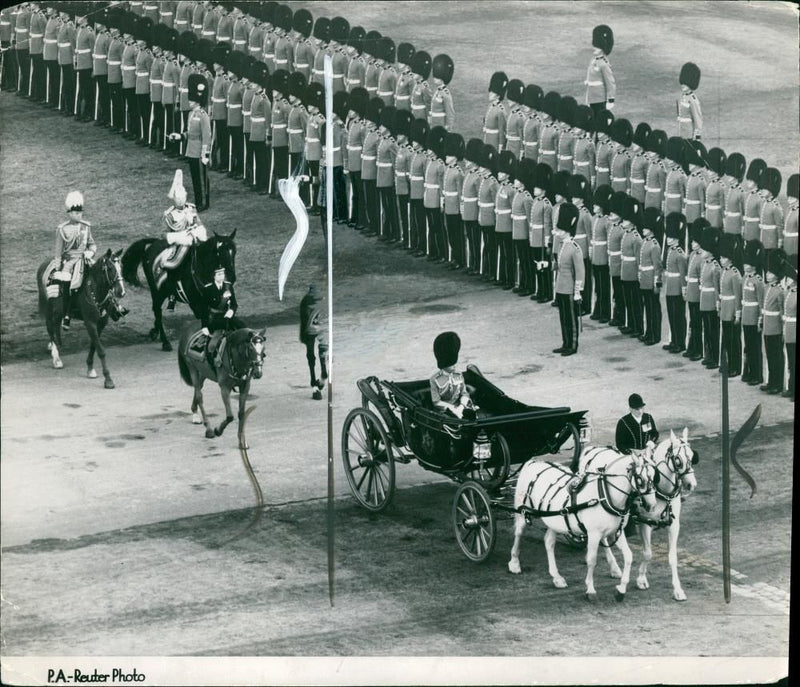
(328,82)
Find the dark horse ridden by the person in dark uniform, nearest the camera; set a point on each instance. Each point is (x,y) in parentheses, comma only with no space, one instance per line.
(242,360)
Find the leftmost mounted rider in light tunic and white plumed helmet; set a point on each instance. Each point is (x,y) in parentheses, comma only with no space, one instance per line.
(74,246)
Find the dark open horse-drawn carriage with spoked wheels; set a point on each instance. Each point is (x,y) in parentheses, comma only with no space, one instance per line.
(397,422)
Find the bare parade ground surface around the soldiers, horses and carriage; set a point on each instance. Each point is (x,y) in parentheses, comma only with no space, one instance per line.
(123,527)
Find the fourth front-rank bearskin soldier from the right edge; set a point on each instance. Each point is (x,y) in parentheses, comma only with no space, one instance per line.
(730,305)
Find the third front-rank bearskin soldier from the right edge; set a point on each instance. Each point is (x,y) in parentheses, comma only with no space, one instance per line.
(753,290)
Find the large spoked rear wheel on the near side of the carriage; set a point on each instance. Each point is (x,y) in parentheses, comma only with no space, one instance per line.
(368,460)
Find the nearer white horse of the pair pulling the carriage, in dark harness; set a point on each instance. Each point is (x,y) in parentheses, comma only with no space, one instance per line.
(597,509)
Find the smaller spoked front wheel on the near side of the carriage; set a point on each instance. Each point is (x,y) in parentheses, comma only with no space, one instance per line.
(474,523)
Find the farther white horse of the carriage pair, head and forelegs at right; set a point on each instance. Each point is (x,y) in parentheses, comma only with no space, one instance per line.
(673,459)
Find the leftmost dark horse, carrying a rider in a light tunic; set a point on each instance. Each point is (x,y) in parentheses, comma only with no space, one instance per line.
(95,302)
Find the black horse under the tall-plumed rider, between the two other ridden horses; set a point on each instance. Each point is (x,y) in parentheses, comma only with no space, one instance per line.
(185,281)
